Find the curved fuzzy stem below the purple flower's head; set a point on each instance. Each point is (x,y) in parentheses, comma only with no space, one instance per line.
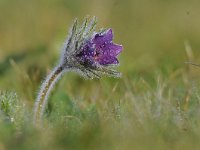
(44,92)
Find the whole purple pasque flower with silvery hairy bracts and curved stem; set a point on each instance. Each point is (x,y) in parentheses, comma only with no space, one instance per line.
(90,53)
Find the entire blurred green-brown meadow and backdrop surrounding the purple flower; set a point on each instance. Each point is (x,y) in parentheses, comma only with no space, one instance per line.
(154,105)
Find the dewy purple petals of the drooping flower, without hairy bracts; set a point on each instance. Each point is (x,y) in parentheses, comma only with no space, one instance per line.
(100,49)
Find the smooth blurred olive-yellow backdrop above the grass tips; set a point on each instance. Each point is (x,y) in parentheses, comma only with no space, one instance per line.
(152,32)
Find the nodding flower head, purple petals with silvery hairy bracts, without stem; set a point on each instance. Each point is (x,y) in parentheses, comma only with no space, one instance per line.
(90,53)
